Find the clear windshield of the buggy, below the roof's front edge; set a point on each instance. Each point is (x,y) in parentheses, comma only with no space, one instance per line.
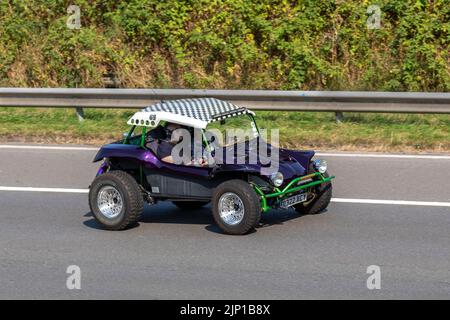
(232,130)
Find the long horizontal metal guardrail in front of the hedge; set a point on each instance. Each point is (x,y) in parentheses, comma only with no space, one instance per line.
(334,101)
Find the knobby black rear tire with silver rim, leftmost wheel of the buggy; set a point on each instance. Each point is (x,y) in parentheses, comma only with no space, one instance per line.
(116,200)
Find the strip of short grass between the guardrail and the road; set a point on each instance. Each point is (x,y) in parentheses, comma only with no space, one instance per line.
(358,132)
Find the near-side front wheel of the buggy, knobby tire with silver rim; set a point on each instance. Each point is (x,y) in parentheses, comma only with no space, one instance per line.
(244,198)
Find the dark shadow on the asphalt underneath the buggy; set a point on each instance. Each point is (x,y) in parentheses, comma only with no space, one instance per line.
(173,215)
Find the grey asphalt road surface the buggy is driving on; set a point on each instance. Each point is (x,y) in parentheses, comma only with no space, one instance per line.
(175,254)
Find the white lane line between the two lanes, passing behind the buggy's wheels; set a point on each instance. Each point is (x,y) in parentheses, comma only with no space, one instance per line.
(339,200)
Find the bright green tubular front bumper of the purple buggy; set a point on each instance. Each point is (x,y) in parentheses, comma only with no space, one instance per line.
(289,189)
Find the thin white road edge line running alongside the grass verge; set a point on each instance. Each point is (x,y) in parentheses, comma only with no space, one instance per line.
(319,154)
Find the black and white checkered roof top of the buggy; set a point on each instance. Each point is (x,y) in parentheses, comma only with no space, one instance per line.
(205,109)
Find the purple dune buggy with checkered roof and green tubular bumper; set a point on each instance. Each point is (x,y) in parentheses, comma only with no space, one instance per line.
(132,173)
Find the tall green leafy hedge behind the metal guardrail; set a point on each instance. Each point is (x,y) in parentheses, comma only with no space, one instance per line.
(306,45)
